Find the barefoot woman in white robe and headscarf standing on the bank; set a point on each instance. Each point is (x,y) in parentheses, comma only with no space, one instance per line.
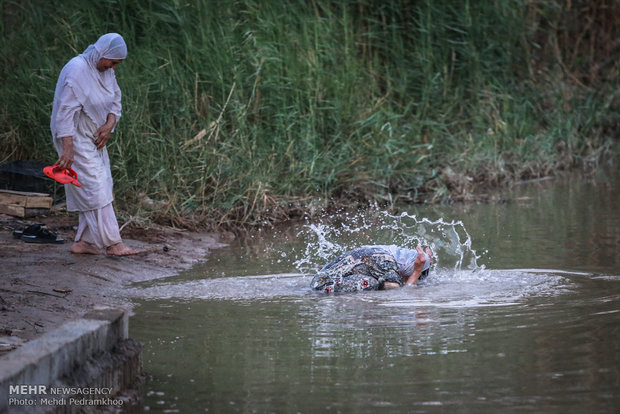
(87,106)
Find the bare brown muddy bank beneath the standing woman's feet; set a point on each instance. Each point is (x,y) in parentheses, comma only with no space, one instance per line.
(45,285)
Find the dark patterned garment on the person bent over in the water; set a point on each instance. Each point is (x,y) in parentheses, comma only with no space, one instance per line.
(365,268)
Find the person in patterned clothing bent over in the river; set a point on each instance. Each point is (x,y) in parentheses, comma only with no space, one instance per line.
(373,268)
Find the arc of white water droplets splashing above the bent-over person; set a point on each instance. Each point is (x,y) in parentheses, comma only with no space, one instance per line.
(334,235)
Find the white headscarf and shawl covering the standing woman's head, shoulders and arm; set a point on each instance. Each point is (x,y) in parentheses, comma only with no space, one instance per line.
(96,92)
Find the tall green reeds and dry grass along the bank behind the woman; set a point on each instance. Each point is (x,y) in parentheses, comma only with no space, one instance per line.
(246,111)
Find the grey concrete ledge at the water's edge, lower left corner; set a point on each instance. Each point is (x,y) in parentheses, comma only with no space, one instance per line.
(89,352)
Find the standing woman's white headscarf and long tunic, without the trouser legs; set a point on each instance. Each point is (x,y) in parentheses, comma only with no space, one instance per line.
(82,101)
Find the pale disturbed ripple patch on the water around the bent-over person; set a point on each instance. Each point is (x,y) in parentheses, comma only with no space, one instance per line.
(446,288)
